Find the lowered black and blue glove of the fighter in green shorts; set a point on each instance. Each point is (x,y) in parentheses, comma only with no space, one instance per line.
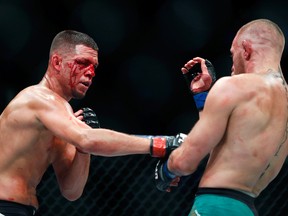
(163,177)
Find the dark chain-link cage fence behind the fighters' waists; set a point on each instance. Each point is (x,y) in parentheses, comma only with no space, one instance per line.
(124,186)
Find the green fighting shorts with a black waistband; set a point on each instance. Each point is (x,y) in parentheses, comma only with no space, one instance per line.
(221,201)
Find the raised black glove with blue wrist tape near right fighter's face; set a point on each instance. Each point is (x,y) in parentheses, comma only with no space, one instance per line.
(199,95)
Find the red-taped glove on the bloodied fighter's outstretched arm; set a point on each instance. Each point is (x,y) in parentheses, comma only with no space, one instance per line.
(163,146)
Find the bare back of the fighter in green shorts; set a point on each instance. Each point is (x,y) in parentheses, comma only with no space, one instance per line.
(254,144)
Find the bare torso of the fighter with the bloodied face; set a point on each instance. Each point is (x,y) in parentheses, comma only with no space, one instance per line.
(26,147)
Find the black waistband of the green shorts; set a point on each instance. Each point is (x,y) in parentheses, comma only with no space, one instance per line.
(235,194)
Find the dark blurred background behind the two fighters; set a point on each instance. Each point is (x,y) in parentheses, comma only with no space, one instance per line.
(138,88)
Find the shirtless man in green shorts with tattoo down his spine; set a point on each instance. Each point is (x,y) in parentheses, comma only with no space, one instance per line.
(243,126)
